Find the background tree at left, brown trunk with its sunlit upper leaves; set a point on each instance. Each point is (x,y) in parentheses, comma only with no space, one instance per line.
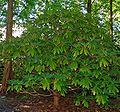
(22,11)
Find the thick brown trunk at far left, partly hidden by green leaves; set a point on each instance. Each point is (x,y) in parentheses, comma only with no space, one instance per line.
(7,73)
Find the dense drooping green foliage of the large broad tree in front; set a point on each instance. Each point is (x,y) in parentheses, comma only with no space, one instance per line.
(65,48)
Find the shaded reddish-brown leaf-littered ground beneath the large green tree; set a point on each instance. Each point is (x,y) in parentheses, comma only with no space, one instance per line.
(22,103)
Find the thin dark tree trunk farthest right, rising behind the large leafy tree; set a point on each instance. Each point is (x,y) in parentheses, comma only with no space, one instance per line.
(111,19)
